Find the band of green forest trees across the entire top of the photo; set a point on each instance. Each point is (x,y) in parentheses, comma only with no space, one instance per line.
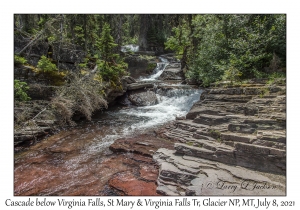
(208,45)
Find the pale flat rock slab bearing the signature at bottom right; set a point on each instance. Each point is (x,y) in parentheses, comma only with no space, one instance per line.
(188,175)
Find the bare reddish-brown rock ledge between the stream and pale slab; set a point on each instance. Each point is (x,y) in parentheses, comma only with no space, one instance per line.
(141,179)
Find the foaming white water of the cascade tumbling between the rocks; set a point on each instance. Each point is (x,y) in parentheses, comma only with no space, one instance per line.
(174,101)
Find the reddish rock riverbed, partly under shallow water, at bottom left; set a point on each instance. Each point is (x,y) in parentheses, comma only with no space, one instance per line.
(64,164)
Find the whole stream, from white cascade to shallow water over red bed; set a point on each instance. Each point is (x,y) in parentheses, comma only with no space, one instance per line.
(77,161)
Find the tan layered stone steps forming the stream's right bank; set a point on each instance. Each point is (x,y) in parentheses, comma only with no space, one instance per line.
(232,142)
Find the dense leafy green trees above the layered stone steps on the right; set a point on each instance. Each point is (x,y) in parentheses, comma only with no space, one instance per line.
(231,46)
